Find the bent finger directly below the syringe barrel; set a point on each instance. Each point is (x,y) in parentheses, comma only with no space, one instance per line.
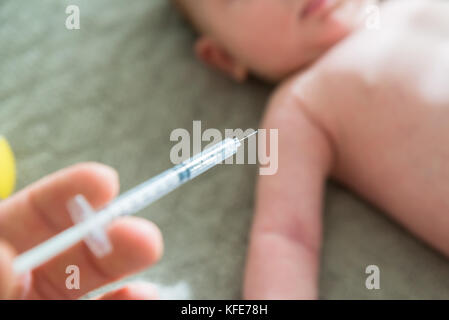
(137,244)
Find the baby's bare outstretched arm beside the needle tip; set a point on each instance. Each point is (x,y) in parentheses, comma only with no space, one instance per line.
(283,260)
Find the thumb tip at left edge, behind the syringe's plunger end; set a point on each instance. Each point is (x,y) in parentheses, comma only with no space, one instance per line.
(7,277)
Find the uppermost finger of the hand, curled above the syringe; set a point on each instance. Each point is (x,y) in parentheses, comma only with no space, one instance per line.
(39,211)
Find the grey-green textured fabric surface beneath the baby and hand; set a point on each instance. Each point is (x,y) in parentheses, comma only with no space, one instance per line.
(113,91)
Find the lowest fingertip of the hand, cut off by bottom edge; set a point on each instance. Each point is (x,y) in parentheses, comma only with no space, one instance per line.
(133,291)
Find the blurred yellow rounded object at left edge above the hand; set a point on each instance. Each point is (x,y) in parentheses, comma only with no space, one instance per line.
(7,169)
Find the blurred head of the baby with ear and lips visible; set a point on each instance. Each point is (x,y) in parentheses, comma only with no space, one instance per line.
(270,38)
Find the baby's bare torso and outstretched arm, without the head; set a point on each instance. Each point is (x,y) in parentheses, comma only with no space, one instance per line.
(374,114)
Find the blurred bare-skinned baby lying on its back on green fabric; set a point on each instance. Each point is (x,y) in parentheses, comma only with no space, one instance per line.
(369,108)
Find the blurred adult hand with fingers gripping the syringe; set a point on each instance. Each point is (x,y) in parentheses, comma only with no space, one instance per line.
(39,212)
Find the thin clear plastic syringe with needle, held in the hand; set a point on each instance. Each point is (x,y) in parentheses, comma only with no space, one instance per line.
(90,225)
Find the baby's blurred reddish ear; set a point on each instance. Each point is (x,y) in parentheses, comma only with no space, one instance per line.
(214,55)
